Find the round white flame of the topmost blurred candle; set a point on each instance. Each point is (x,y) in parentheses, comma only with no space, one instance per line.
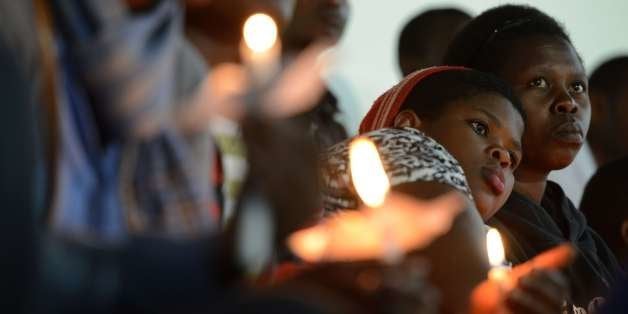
(260,32)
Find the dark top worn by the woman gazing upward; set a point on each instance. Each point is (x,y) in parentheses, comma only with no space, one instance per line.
(529,229)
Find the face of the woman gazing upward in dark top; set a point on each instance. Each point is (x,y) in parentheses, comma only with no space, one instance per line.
(549,78)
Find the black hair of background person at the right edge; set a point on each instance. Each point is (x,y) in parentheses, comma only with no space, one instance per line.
(610,77)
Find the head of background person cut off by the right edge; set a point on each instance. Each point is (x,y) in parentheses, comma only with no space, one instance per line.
(608,89)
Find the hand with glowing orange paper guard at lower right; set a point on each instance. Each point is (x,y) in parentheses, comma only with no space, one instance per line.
(533,287)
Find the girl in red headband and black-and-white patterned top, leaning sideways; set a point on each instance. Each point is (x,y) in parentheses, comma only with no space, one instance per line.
(477,119)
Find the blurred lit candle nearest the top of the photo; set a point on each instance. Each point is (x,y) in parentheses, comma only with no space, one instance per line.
(260,48)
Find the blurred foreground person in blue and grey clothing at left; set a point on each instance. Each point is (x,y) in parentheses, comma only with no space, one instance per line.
(103,78)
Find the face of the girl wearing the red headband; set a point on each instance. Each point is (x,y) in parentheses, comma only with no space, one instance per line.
(483,133)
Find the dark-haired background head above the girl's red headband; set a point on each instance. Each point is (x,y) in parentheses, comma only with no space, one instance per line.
(422,37)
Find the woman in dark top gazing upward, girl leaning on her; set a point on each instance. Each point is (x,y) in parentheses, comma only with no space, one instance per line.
(533,53)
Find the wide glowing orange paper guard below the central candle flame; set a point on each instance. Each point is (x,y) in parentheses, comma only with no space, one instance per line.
(407,224)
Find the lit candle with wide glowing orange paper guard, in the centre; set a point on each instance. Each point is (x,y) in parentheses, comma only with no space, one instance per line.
(388,226)
